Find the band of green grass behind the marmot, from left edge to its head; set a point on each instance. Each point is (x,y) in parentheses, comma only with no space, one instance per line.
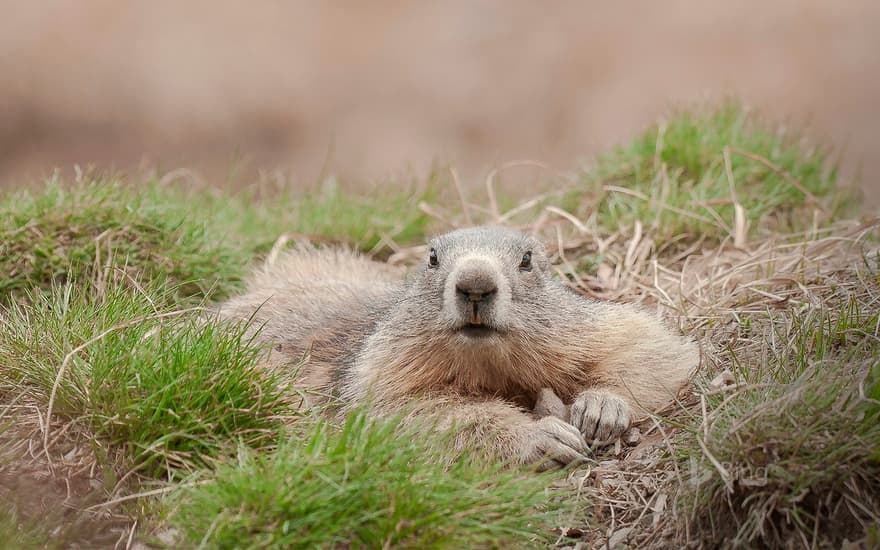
(202,242)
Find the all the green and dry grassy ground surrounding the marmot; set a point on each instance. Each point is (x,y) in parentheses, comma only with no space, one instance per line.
(167,417)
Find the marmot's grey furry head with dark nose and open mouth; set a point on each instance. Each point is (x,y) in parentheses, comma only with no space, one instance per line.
(479,284)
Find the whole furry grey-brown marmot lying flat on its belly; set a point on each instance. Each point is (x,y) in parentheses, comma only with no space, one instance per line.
(468,339)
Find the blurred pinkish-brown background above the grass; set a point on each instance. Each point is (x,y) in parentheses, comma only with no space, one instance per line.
(373,90)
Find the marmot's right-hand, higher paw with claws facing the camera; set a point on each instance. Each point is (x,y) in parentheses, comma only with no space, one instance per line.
(600,415)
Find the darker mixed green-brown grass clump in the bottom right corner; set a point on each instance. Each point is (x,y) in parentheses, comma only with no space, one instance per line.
(799,444)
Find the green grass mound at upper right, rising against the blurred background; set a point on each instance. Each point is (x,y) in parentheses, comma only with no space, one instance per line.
(674,179)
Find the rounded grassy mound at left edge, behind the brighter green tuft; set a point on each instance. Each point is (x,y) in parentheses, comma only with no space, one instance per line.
(71,233)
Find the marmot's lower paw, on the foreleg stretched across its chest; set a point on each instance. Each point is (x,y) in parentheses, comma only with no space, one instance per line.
(551,443)
